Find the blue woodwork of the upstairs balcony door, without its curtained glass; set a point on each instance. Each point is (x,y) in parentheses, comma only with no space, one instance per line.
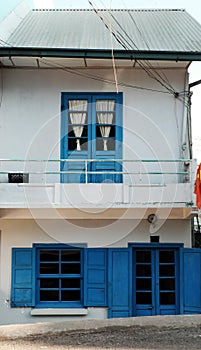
(91,152)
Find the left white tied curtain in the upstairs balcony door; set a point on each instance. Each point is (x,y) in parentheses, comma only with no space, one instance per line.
(78,118)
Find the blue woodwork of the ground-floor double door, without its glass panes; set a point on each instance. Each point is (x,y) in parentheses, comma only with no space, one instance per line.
(152,305)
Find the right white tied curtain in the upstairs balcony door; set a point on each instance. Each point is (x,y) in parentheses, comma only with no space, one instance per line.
(105,118)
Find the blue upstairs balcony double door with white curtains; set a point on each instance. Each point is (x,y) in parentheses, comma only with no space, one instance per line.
(91,129)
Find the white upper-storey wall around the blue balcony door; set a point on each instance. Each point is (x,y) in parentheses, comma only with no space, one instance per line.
(30,118)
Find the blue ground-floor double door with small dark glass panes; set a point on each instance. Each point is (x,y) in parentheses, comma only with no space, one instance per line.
(155,282)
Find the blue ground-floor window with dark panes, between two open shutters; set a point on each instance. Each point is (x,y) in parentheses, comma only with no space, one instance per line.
(59,277)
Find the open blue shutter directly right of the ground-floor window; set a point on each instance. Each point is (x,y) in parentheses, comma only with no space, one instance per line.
(95,277)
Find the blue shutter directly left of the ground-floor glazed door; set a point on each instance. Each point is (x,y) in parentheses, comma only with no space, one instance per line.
(119,287)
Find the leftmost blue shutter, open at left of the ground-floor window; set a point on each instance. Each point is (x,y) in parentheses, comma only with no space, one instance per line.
(22,277)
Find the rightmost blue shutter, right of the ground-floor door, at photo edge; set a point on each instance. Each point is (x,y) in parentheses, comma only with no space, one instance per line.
(192,281)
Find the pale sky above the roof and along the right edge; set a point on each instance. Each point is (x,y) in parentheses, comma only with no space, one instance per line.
(191,6)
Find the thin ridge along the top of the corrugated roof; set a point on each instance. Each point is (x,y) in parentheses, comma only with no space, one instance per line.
(91,10)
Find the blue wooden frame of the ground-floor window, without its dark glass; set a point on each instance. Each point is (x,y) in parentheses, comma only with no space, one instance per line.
(58,304)
